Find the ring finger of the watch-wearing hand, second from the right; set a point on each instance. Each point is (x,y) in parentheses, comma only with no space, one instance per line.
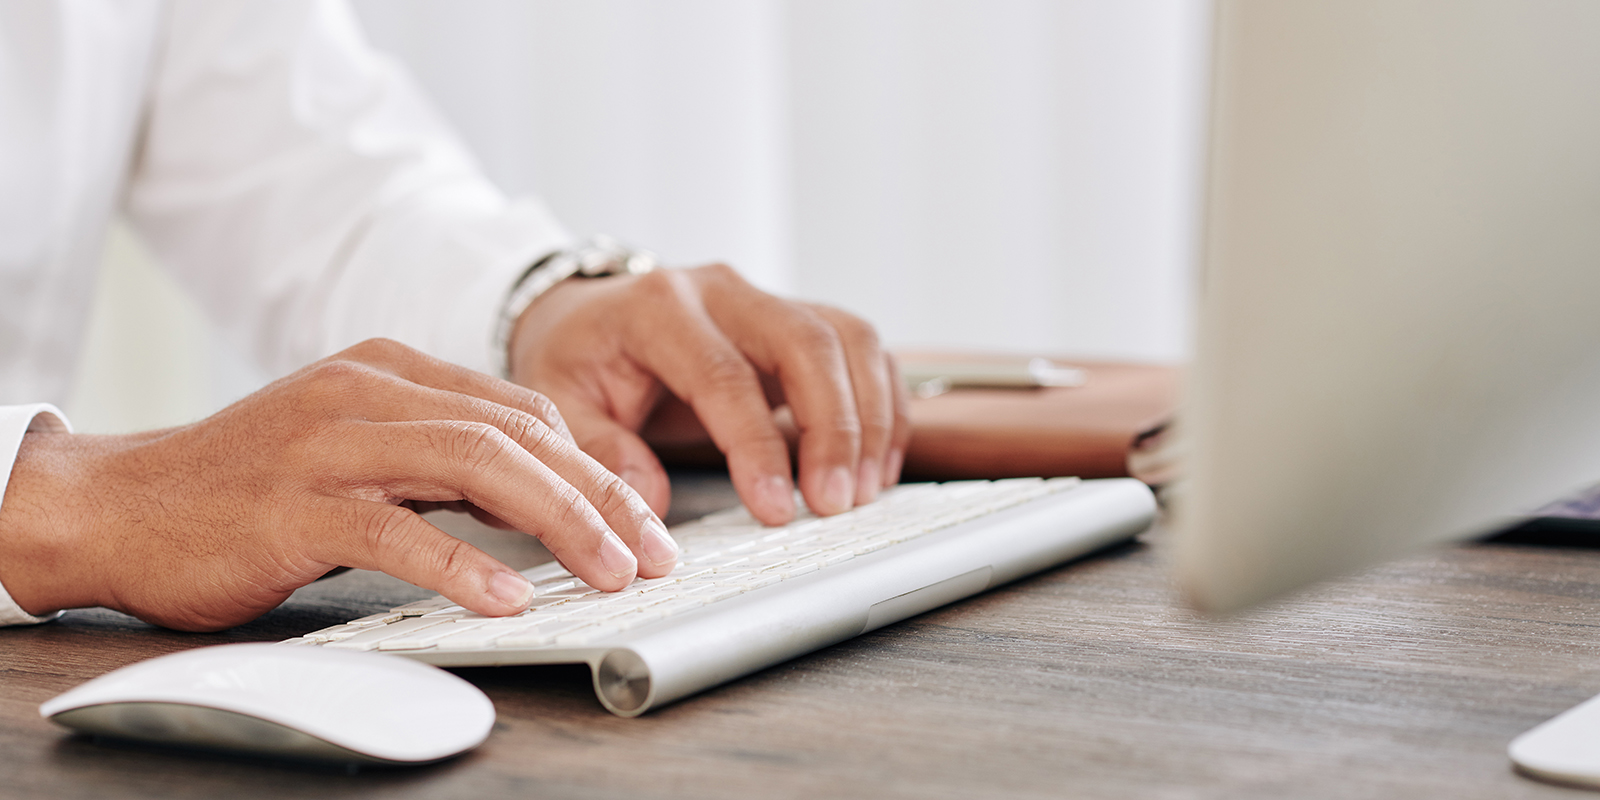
(870,377)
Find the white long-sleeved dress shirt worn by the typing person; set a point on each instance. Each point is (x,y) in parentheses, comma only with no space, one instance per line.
(294,180)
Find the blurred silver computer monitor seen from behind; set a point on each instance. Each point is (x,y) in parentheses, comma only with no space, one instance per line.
(1399,330)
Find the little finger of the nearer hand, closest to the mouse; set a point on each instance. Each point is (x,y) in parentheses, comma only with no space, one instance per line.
(396,542)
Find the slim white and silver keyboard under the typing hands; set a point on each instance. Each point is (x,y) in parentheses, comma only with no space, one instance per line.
(745,598)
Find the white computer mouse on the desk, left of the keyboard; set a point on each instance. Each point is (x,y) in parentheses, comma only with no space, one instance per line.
(286,702)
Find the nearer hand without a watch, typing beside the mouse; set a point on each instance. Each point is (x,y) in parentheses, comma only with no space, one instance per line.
(210,526)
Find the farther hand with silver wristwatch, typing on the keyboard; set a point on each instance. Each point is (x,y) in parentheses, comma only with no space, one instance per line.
(622,351)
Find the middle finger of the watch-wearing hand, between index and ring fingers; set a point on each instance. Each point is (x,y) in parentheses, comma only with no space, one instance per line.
(807,356)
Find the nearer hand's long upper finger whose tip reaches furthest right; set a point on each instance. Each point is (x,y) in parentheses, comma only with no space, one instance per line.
(393,399)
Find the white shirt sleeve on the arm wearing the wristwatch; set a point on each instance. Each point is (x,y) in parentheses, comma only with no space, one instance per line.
(306,191)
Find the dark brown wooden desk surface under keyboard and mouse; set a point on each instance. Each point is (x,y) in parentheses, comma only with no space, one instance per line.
(1084,682)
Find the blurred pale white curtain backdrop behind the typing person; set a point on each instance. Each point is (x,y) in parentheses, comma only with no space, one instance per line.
(1001,175)
